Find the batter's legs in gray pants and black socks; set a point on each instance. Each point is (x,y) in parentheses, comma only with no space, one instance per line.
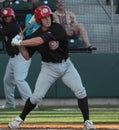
(50,72)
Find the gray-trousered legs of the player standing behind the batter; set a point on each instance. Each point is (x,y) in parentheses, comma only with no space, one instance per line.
(15,75)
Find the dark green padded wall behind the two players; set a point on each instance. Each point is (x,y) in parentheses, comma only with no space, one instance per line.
(99,73)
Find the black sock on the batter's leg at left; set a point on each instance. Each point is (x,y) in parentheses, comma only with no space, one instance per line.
(27,109)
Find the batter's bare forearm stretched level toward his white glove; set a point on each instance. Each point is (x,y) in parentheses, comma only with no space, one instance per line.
(32,42)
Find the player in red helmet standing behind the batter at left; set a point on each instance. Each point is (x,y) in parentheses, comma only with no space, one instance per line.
(17,67)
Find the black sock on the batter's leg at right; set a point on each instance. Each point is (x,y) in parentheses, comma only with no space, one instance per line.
(83,105)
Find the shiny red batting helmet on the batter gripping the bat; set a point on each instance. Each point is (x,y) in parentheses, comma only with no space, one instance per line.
(42,12)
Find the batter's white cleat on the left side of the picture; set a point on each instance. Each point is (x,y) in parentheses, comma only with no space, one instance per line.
(15,123)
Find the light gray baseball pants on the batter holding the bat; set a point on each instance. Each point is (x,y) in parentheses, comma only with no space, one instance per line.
(50,72)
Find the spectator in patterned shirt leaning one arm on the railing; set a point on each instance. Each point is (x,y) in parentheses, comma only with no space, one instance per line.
(68,20)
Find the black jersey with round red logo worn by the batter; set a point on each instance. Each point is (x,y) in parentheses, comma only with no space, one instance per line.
(55,47)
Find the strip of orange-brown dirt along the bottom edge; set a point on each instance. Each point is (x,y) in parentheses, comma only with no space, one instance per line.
(62,127)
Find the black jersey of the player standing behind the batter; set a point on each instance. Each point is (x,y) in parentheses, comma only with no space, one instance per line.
(10,30)
